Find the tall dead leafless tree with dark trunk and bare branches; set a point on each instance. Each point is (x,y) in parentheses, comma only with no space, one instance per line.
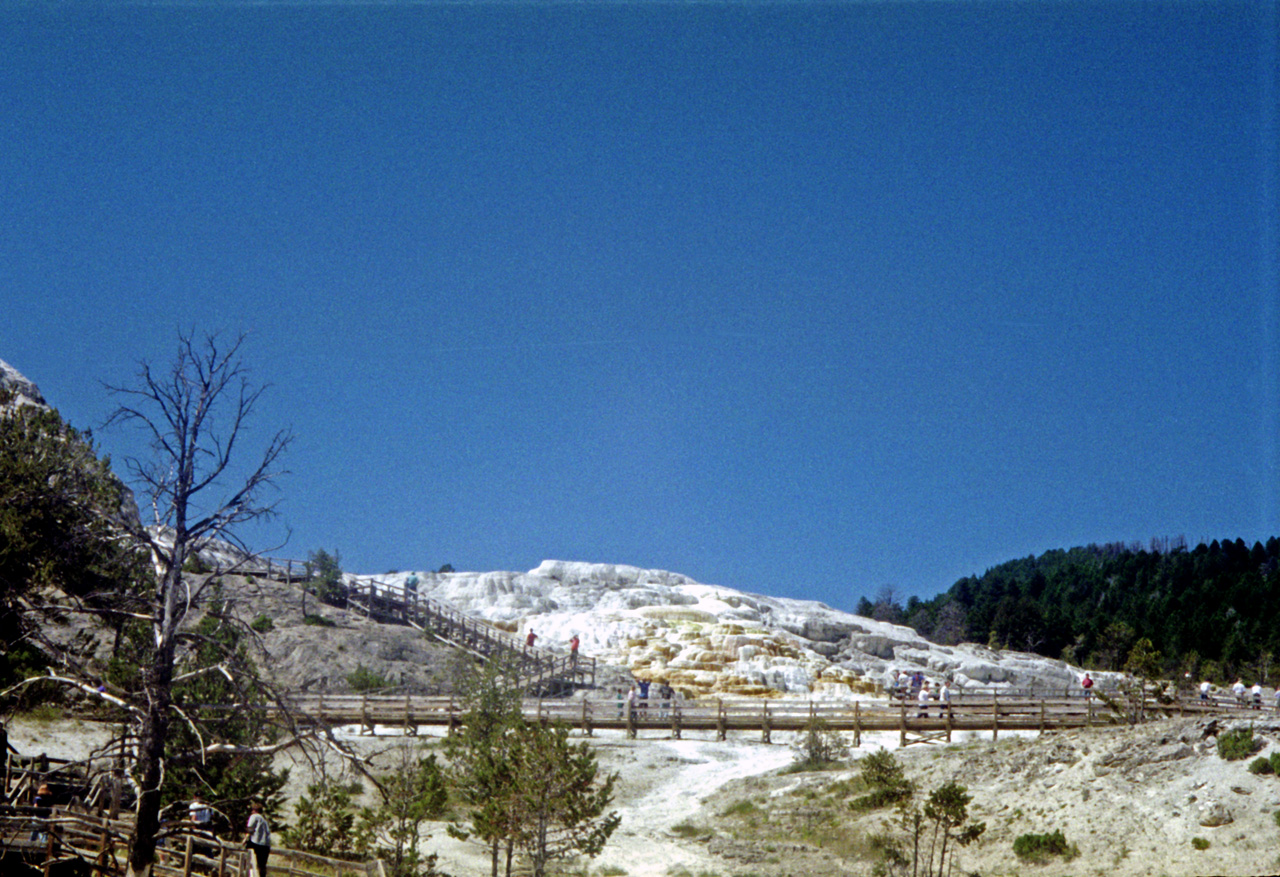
(195,413)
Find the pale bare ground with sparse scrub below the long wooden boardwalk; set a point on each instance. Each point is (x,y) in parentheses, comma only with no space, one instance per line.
(1130,800)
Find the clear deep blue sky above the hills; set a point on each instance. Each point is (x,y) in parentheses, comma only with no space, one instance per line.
(799,299)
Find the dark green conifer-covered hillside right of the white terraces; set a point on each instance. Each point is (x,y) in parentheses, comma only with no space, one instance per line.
(1210,611)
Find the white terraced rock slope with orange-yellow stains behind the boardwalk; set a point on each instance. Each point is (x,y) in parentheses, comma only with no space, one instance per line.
(708,640)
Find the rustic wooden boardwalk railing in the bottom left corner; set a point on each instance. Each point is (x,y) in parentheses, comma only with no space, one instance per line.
(49,837)
